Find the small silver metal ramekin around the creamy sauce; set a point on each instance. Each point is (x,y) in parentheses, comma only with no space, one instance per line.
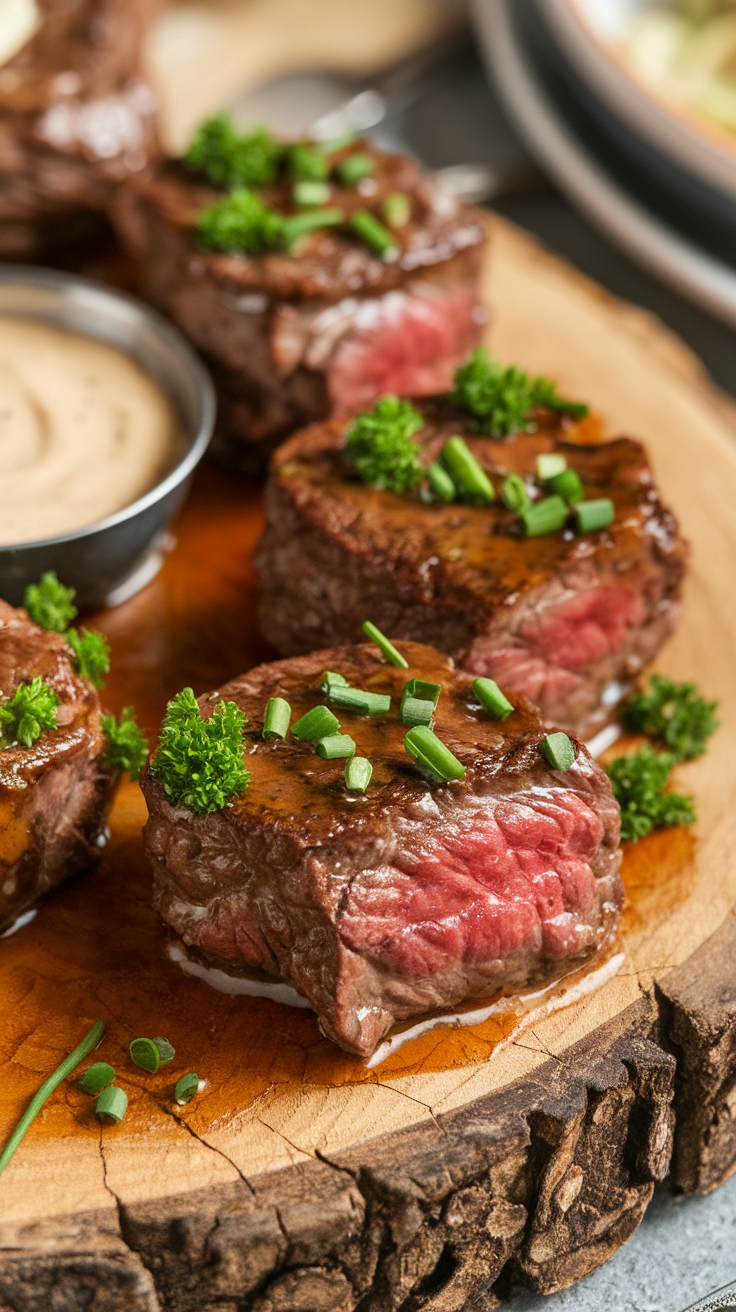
(108,561)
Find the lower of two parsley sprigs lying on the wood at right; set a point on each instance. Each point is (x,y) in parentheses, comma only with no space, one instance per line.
(640,785)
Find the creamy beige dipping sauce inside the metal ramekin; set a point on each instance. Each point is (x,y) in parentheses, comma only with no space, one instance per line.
(85,431)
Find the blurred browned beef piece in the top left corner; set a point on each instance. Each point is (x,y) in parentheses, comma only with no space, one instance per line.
(75,120)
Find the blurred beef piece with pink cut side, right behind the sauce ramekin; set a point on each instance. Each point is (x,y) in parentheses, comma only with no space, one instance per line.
(293,338)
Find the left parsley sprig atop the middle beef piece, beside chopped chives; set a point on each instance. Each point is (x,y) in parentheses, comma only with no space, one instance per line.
(381,448)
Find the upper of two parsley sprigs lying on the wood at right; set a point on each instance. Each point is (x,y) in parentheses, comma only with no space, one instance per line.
(675,714)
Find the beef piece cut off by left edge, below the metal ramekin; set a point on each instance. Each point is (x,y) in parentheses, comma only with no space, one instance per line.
(54,796)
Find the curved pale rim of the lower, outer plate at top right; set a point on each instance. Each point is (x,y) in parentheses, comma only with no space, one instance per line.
(548,136)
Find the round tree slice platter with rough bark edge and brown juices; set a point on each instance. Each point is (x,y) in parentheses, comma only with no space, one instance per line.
(520,1149)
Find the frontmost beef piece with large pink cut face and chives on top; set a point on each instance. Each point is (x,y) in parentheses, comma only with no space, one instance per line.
(407,898)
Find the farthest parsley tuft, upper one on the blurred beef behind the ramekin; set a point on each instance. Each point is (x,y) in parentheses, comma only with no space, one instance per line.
(233,159)
